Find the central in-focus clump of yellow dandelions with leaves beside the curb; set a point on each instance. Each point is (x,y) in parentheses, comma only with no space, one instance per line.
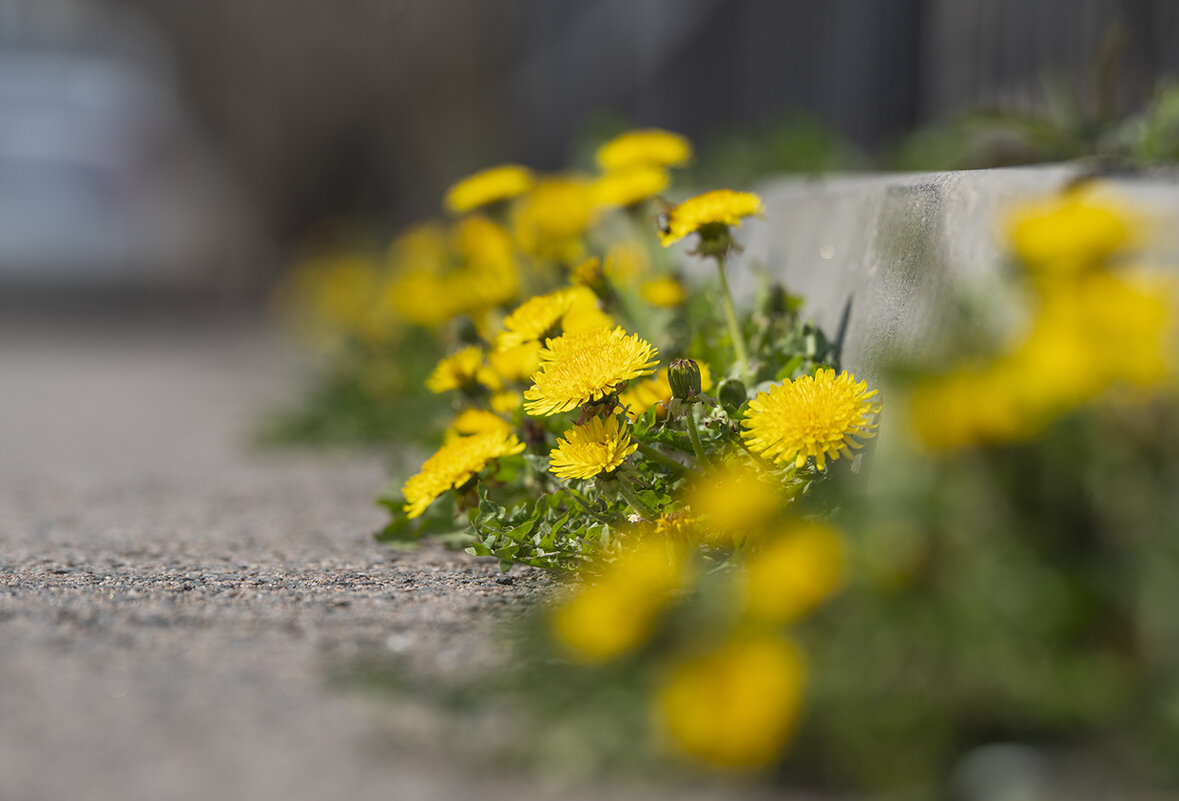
(569,424)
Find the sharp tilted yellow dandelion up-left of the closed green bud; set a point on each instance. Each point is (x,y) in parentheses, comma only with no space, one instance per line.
(578,369)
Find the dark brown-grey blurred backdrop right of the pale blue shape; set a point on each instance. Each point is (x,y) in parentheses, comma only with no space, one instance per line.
(319,108)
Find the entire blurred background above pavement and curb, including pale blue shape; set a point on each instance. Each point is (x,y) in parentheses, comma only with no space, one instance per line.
(168,148)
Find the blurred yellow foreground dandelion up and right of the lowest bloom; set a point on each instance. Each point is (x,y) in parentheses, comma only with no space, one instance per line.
(792,573)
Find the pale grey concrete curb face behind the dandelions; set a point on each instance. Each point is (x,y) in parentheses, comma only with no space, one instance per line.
(885,252)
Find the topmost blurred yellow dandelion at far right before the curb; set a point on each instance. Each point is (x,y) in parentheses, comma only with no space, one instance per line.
(1069,233)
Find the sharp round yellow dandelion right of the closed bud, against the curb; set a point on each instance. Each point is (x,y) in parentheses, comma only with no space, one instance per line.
(818,417)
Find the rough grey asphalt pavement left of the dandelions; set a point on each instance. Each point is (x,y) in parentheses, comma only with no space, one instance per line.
(174,607)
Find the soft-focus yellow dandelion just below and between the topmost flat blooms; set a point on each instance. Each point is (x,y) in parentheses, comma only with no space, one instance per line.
(550,220)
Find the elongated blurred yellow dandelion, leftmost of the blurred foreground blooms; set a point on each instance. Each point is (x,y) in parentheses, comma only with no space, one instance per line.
(615,613)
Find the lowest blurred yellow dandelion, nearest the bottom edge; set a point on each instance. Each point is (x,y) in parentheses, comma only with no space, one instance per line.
(735,707)
